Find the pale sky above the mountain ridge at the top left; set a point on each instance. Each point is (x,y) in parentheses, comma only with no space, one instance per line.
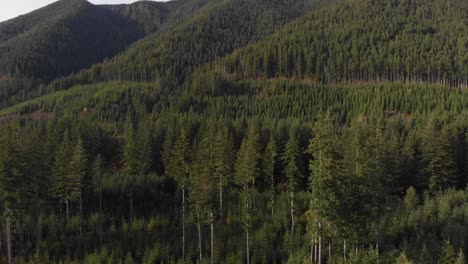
(13,8)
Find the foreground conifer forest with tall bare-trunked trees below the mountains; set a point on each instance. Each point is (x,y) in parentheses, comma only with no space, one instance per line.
(375,173)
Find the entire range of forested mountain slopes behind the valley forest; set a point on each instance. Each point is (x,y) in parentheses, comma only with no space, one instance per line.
(313,40)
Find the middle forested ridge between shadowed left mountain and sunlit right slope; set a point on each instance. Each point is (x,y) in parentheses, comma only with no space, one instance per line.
(213,31)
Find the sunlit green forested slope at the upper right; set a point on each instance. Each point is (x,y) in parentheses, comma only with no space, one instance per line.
(364,40)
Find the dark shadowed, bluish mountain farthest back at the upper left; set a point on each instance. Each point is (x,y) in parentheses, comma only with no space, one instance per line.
(69,35)
